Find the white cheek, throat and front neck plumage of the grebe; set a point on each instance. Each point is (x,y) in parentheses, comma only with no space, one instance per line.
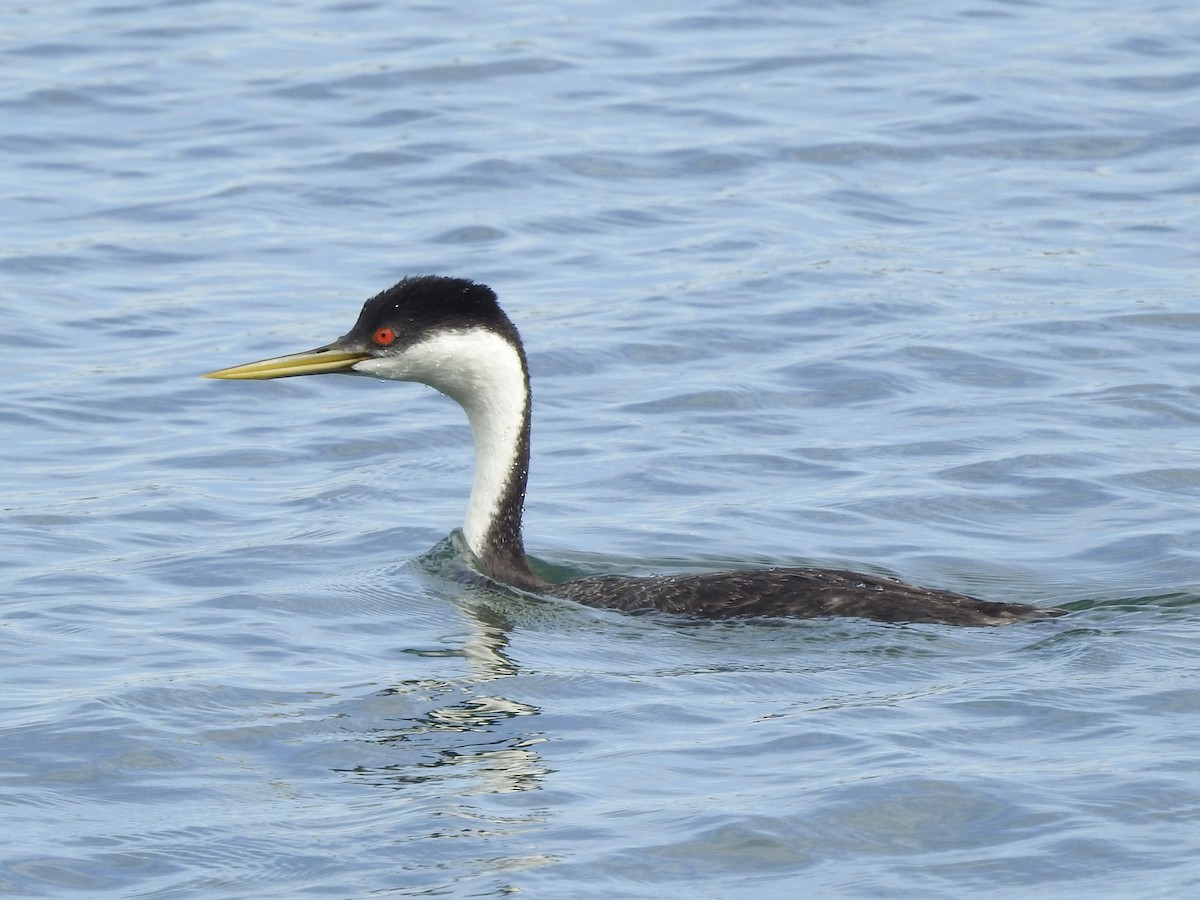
(482,371)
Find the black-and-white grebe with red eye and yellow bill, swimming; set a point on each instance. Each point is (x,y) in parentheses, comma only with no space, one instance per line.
(452,335)
